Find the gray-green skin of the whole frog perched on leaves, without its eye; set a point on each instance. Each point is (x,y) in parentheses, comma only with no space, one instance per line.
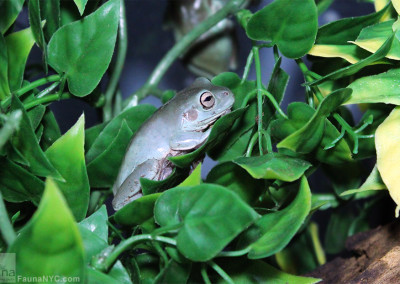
(180,126)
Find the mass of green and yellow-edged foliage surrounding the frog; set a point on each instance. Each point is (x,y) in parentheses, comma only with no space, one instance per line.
(249,220)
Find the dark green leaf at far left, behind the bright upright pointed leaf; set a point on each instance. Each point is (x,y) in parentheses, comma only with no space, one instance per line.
(25,141)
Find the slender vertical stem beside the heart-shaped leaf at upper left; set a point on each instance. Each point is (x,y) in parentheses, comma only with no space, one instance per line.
(119,64)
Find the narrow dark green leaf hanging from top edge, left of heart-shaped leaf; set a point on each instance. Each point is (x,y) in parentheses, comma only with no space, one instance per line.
(35,20)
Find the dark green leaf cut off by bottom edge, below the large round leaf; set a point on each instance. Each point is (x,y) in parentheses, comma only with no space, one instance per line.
(174,272)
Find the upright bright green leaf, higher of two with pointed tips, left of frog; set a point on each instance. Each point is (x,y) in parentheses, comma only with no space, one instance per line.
(66,151)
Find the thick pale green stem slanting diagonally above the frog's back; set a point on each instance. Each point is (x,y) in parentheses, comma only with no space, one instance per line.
(180,47)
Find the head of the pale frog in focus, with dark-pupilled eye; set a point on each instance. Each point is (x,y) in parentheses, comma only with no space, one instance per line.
(204,104)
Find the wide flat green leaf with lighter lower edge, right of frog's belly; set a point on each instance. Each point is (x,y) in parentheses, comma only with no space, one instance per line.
(273,166)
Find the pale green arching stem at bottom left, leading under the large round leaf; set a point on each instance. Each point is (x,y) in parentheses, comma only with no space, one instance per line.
(105,262)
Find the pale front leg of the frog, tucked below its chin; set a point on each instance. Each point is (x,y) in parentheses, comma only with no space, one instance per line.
(190,140)
